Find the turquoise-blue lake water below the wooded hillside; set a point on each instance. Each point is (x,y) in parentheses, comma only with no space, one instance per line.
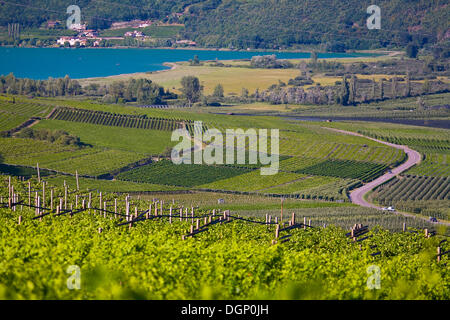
(41,63)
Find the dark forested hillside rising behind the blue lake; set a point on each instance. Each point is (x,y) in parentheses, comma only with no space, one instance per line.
(337,25)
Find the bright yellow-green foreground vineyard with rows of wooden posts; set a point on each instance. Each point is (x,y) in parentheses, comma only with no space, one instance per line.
(223,256)
